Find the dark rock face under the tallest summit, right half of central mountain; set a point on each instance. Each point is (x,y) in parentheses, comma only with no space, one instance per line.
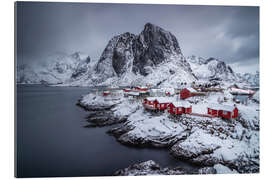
(153,46)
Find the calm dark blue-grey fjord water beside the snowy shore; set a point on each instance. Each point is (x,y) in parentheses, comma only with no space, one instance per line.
(52,140)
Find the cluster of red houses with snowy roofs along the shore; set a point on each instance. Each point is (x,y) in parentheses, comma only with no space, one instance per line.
(176,101)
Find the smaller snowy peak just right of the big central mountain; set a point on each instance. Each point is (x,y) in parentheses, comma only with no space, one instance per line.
(211,68)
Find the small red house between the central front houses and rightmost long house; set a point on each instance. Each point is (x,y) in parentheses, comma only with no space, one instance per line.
(180,107)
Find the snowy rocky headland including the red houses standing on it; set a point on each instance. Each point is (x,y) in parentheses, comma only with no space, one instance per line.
(210,126)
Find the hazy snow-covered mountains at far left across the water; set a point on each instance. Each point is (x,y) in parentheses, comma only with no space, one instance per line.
(58,68)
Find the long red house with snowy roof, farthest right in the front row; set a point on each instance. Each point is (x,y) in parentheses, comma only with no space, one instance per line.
(223,111)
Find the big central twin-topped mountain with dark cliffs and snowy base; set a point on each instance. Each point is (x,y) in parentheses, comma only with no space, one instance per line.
(150,54)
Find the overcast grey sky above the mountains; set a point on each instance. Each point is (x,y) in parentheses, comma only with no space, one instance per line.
(228,33)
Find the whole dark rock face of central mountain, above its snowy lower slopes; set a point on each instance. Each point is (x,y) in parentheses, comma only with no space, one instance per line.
(128,52)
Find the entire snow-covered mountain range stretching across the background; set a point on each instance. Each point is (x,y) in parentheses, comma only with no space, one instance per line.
(152,57)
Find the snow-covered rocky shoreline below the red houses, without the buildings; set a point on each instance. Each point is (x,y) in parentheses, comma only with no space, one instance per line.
(233,147)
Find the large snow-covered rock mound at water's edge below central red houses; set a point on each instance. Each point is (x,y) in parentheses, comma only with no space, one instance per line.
(144,129)
